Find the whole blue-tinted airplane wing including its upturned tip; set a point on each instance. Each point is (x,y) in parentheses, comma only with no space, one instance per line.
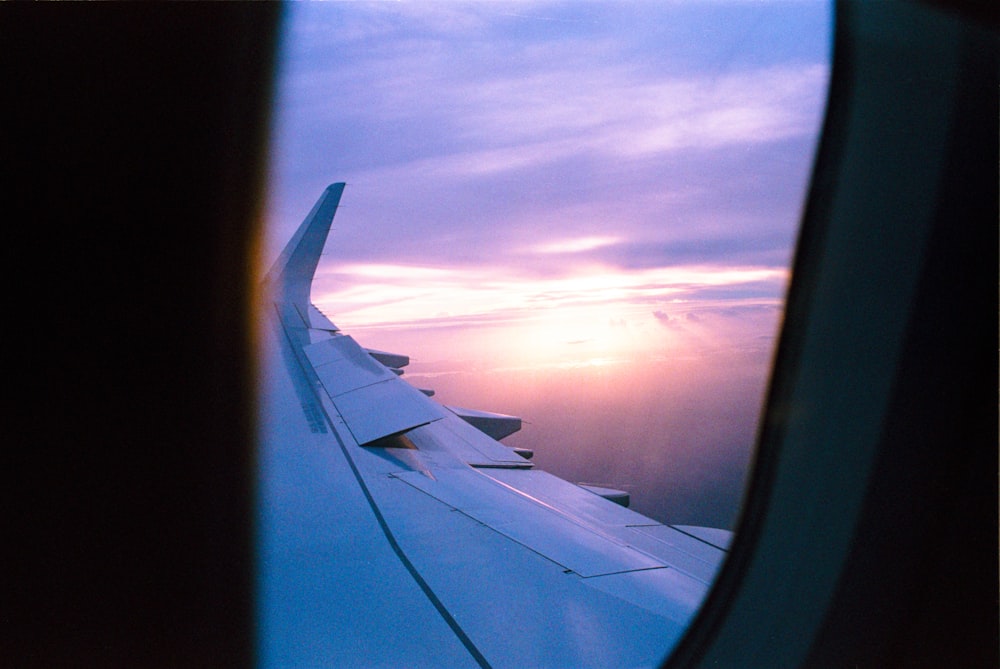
(395,531)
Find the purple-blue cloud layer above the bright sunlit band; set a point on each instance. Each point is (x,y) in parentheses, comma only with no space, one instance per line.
(474,135)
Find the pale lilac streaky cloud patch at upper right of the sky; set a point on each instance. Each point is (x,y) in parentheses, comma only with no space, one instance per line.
(544,110)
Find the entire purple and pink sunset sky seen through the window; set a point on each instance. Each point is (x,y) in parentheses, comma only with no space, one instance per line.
(579,213)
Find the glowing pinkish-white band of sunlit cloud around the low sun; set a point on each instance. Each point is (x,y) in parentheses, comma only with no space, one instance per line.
(595,318)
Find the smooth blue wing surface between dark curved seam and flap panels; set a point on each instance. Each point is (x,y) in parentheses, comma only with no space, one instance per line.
(520,608)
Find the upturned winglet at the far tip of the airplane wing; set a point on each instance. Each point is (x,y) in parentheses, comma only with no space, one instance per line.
(292,273)
